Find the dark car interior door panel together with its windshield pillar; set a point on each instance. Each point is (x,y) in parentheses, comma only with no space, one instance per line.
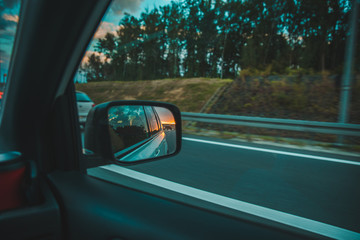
(79,203)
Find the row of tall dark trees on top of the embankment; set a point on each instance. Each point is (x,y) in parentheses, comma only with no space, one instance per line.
(218,38)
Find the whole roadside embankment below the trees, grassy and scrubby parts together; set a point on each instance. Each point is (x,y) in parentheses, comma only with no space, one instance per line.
(314,98)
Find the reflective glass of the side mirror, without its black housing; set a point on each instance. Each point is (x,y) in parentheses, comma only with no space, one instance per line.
(141,132)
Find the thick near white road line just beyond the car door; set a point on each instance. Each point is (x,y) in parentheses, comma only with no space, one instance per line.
(309,225)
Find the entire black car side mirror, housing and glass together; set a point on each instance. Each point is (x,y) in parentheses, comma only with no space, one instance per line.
(132,131)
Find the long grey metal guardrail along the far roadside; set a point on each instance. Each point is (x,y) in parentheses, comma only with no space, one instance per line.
(344,129)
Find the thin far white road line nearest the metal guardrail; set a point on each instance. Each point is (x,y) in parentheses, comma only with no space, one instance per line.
(275,151)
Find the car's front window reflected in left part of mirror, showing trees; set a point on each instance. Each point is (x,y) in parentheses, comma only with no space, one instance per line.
(127,126)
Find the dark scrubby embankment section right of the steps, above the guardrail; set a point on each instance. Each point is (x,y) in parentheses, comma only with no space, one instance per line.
(313,98)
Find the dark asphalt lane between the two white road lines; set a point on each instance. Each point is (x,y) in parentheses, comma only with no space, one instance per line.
(303,185)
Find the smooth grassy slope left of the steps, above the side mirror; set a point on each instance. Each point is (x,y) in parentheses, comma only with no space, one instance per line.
(189,95)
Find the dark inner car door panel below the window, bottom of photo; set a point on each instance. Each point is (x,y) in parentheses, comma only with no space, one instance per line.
(97,209)
